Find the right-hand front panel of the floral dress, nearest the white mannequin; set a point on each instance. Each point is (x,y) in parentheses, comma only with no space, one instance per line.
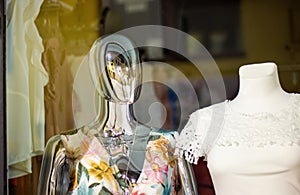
(159,172)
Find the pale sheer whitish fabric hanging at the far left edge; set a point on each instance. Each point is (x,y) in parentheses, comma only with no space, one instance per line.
(26,78)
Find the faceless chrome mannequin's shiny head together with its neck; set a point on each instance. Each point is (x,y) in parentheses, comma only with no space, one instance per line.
(116,72)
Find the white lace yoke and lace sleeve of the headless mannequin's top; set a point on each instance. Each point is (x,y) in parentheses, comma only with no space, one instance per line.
(257,130)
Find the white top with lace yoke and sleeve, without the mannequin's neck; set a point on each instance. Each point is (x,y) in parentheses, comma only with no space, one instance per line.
(246,153)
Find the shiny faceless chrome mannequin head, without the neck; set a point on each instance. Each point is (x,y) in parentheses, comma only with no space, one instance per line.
(116,69)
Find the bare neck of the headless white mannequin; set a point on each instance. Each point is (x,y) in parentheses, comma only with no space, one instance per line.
(260,89)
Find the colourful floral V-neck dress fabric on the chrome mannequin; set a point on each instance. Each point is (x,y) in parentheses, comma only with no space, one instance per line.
(91,171)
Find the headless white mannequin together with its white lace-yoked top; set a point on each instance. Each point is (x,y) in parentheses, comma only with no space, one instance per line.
(256,151)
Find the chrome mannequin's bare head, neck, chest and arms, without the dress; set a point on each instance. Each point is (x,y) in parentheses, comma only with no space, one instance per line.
(116,73)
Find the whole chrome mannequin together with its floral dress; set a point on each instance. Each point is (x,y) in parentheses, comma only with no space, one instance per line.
(115,154)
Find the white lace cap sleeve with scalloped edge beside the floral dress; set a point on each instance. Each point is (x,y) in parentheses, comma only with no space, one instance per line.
(200,133)
